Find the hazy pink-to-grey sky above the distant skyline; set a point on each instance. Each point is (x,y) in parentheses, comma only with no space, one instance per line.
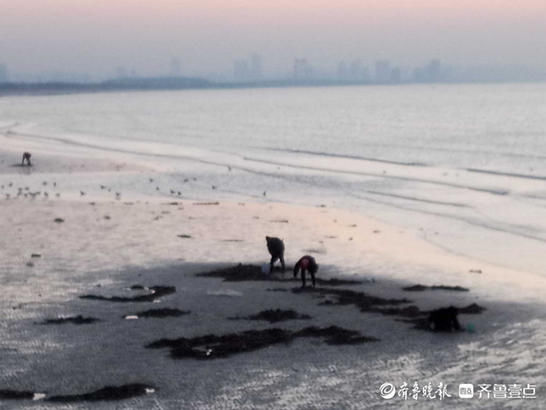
(95,36)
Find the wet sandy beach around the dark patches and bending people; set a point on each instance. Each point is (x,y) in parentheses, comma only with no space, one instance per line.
(88,238)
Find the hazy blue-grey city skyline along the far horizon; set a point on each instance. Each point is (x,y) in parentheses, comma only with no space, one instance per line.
(252,69)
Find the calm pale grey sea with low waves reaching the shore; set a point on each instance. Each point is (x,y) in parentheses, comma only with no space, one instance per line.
(463,165)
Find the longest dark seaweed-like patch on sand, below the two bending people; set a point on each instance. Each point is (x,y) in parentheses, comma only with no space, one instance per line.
(212,346)
